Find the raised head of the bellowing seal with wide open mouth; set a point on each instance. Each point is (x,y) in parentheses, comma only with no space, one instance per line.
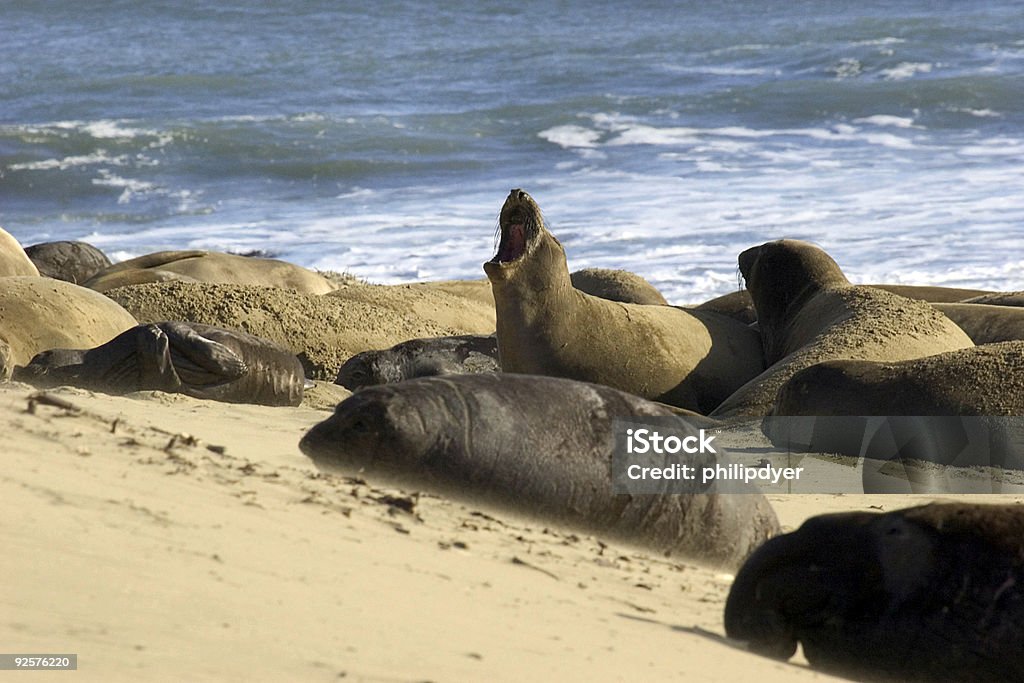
(524,239)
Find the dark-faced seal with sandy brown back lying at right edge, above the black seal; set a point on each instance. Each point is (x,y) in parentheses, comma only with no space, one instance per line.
(947,406)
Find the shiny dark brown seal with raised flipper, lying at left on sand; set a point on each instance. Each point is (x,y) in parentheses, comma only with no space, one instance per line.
(200,361)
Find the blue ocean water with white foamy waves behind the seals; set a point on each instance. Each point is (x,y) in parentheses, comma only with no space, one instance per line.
(663,138)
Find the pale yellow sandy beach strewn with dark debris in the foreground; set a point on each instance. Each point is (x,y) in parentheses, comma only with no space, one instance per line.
(165,538)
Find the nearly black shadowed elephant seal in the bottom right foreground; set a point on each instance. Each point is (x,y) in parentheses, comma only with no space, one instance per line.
(931,593)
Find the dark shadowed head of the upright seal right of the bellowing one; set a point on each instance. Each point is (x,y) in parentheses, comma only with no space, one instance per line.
(782,276)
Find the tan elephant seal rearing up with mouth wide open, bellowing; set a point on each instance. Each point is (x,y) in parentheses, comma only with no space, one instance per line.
(693,360)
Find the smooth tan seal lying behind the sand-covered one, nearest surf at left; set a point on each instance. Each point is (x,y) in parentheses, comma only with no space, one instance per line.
(216,268)
